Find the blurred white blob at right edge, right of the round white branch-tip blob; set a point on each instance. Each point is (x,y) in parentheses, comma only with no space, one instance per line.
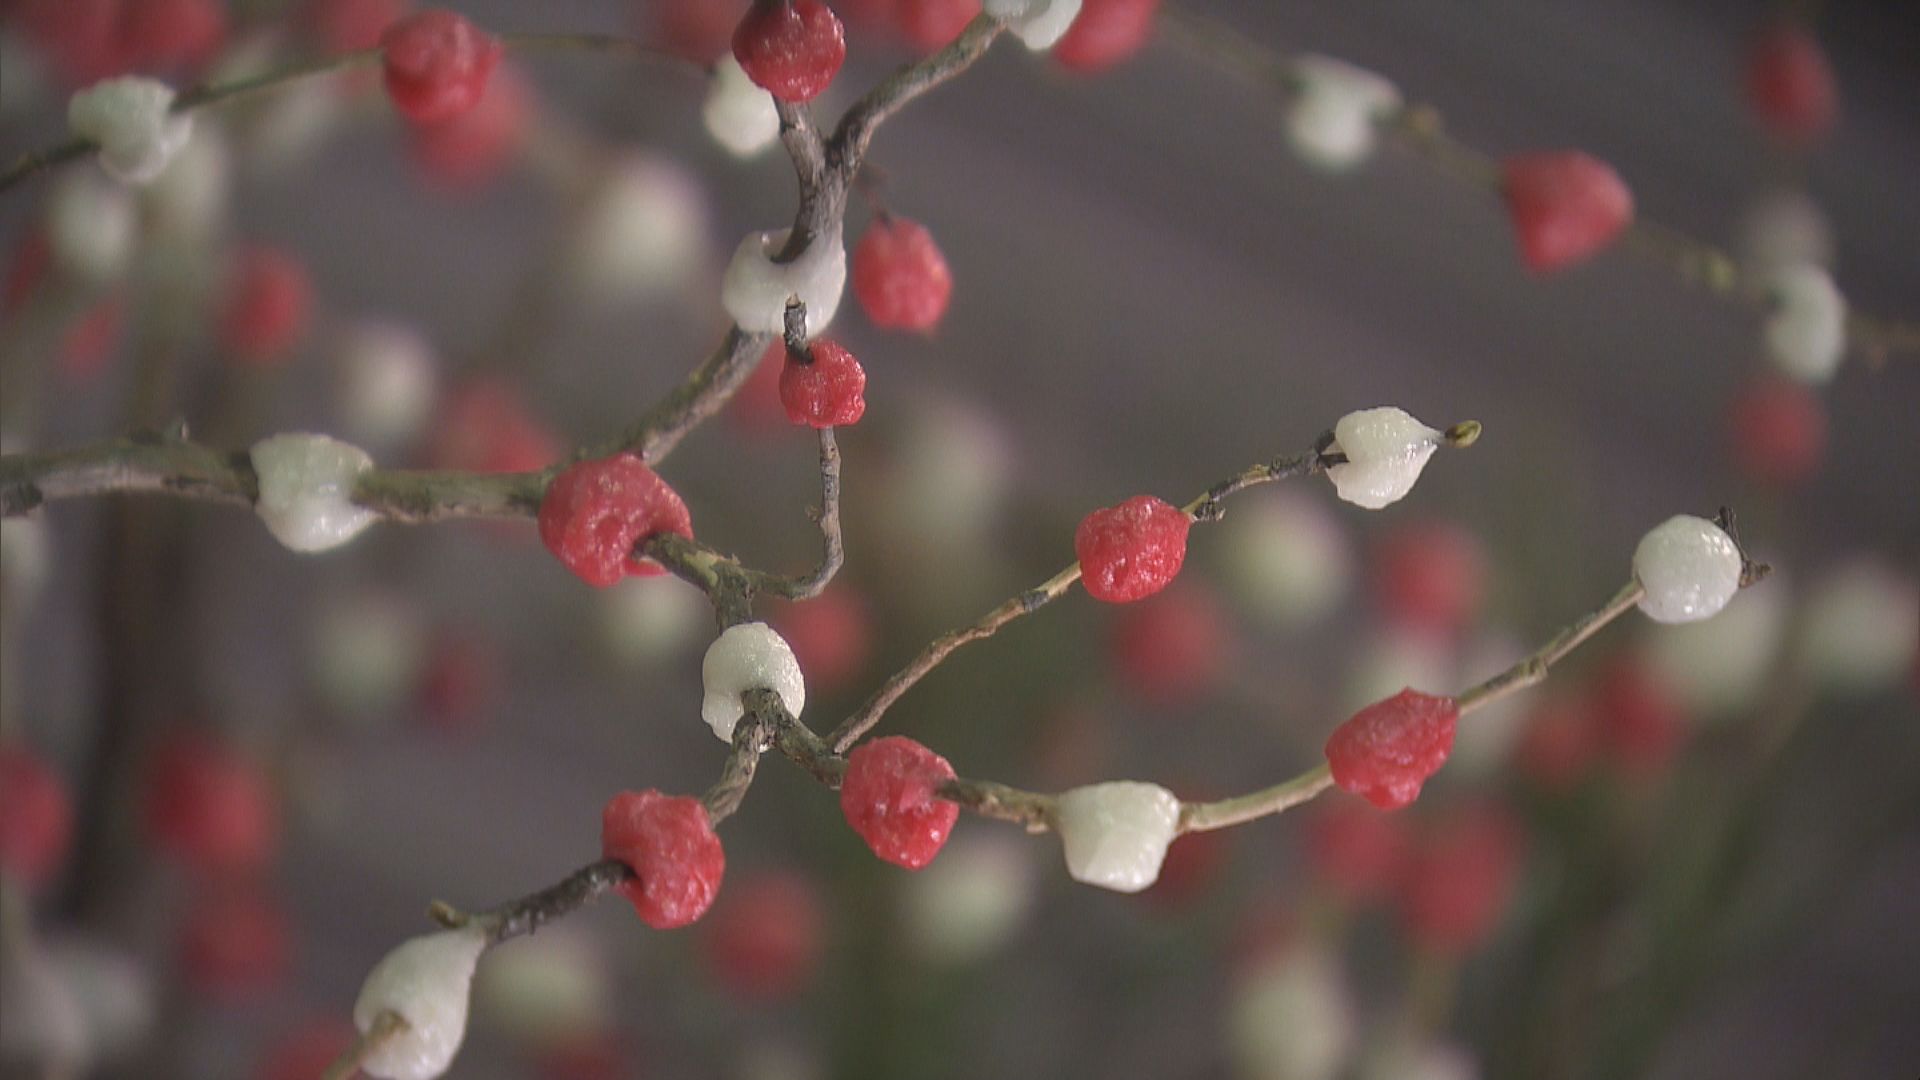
(1863,626)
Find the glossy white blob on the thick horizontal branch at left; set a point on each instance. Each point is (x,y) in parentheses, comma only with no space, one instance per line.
(306,491)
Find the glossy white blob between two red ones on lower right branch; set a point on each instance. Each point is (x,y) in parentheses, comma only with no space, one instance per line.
(1116,835)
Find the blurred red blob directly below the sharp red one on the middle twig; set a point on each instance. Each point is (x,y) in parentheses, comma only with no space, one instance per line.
(1172,647)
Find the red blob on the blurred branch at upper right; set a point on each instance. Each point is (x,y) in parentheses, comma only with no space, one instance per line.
(1566,207)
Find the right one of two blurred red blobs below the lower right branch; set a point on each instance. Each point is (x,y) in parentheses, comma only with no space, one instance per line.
(1462,877)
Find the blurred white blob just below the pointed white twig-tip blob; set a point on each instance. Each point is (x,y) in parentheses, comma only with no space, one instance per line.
(1285,556)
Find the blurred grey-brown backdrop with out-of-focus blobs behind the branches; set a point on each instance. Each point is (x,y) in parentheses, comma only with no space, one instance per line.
(1696,852)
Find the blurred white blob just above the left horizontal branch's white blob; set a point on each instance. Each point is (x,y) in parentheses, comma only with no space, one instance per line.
(387,381)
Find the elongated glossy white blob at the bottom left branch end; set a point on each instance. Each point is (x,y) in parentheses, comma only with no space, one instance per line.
(425,983)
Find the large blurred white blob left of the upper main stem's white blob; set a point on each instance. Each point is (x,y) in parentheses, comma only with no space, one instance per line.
(642,233)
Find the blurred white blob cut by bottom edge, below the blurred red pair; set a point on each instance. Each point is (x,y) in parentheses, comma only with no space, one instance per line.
(1293,1018)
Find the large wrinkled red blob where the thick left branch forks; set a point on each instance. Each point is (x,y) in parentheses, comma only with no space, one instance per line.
(598,512)
